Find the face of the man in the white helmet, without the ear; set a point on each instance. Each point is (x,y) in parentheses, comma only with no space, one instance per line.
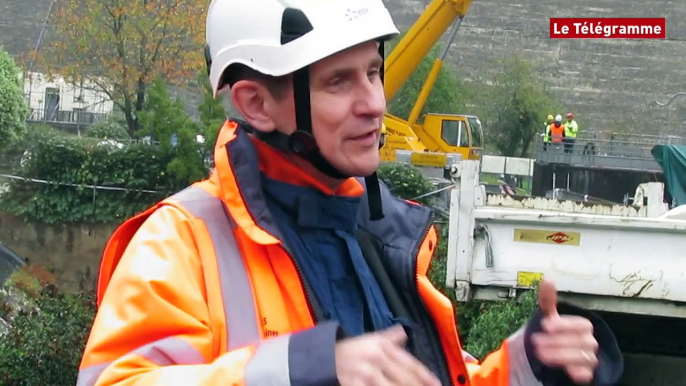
(348,105)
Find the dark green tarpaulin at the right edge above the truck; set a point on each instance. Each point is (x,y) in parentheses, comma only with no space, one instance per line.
(672,159)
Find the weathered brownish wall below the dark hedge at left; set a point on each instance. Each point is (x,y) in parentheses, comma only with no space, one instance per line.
(72,252)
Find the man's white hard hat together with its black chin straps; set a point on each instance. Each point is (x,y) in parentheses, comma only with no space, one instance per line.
(281,37)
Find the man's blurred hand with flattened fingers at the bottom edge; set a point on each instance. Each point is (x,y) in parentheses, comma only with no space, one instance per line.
(379,359)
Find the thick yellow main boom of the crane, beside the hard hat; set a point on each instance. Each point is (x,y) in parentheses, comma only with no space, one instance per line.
(418,41)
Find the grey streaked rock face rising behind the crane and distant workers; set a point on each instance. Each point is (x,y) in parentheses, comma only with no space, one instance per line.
(607,83)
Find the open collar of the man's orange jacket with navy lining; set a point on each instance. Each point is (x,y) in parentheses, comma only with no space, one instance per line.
(237,172)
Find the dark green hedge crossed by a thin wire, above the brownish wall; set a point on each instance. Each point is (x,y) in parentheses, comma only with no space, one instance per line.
(79,162)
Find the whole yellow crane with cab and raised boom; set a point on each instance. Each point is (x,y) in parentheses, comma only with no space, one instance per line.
(438,133)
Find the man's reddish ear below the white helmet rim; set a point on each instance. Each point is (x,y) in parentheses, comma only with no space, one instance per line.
(249,98)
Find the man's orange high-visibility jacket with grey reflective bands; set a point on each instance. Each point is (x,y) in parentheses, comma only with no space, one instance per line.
(205,293)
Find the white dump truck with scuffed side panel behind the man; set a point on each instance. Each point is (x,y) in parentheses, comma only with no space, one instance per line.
(628,263)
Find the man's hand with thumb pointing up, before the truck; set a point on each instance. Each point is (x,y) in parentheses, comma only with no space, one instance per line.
(567,341)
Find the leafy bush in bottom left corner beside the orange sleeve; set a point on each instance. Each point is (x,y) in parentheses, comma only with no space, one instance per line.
(48,334)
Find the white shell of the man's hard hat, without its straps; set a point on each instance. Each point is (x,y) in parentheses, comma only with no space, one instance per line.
(278,37)
